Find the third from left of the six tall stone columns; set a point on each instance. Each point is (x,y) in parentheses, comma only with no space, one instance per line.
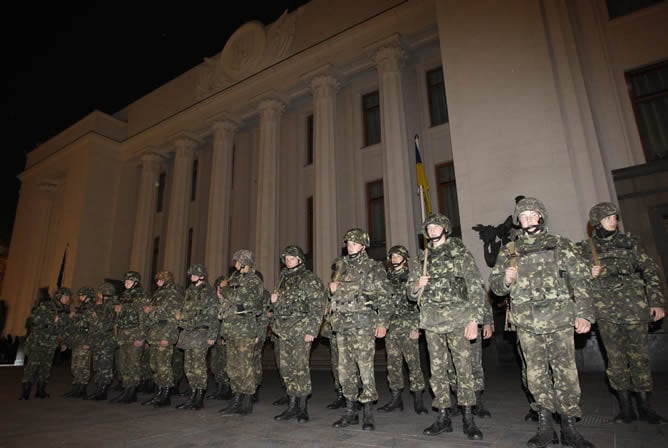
(220,188)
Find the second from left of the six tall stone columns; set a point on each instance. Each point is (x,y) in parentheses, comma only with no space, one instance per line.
(175,244)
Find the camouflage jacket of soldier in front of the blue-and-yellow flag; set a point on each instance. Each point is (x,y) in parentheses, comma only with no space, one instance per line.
(454,295)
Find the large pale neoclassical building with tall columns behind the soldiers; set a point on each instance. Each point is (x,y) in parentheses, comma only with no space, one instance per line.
(300,129)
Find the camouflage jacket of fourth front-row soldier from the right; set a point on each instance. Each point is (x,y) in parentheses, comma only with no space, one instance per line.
(363,298)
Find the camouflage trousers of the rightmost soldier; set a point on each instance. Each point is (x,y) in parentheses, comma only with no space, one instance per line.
(627,350)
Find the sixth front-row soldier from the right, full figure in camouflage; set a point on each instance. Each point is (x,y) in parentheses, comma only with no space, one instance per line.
(243,301)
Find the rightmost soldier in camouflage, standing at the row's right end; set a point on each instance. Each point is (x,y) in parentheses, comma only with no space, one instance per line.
(626,291)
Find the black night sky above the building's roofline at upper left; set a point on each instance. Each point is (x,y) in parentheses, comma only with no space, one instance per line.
(62,60)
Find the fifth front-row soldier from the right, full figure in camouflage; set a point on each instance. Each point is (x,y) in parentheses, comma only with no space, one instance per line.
(298,306)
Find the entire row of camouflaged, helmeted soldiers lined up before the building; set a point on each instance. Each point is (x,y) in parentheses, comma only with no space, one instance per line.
(555,287)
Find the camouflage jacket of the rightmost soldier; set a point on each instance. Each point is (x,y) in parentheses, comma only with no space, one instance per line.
(629,284)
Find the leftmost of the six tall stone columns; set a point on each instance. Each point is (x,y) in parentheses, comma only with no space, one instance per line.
(142,241)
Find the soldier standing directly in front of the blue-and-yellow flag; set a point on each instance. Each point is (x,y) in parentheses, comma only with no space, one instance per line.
(446,283)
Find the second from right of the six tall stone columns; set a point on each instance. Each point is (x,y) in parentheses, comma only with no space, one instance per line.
(326,237)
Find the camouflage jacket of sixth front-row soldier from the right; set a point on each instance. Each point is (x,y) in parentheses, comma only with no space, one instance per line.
(242,304)
